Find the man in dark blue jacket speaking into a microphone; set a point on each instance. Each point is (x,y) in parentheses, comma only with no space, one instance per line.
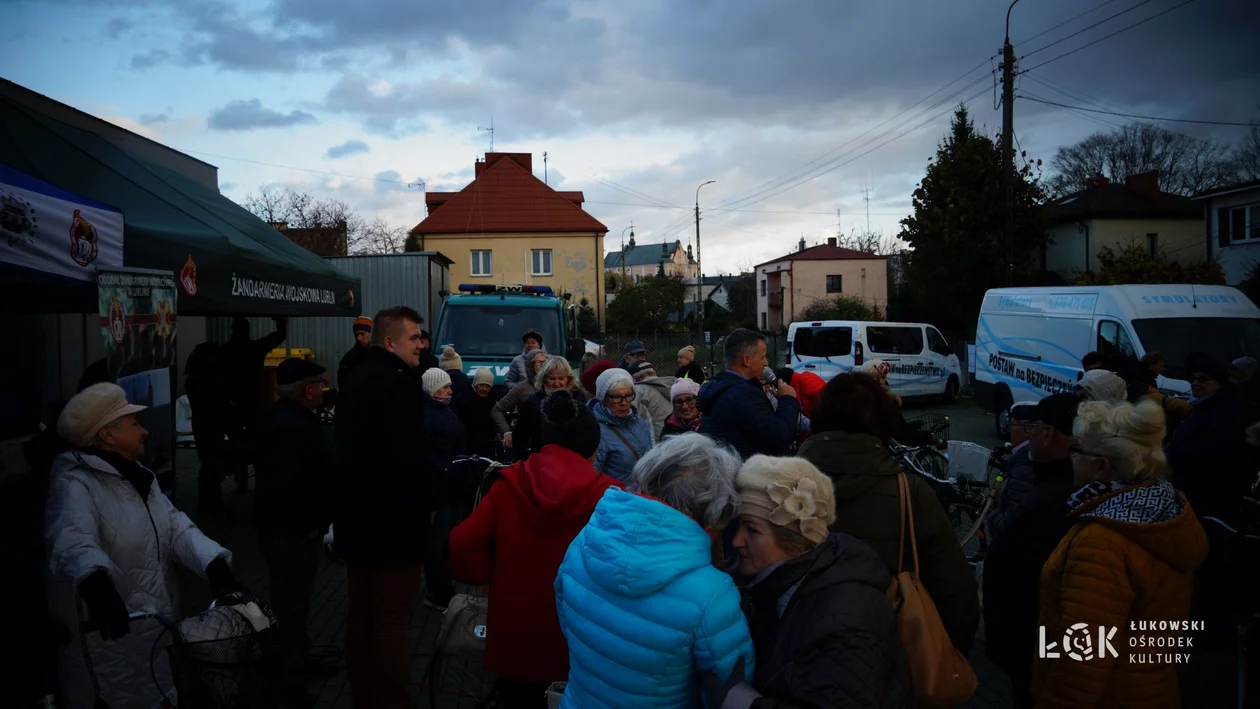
(735,407)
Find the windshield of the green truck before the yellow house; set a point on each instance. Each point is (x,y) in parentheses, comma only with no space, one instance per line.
(495,331)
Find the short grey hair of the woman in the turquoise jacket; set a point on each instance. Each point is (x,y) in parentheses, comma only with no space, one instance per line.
(694,475)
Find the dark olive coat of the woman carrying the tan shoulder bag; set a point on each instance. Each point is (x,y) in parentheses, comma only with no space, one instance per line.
(868,508)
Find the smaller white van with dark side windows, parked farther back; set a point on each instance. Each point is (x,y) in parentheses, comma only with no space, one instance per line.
(922,362)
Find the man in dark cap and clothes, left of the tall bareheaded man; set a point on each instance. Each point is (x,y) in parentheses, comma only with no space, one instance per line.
(292,513)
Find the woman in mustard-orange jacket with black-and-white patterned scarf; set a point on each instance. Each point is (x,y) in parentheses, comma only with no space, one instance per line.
(1132,555)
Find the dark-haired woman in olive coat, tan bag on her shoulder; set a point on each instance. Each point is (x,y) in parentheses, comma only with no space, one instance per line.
(852,428)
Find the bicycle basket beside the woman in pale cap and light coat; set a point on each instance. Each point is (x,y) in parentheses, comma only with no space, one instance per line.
(226,658)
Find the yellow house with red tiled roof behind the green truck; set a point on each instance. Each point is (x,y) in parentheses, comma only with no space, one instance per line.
(508,227)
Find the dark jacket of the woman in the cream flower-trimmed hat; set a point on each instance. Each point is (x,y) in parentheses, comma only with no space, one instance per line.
(835,643)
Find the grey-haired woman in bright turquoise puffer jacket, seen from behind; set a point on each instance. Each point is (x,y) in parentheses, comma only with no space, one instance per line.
(641,605)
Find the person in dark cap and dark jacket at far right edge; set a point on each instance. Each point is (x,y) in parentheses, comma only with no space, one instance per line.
(1209,453)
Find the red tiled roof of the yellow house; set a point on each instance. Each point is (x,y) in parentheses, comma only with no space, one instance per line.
(506,198)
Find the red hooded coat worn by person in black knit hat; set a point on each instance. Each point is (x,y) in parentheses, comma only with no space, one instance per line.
(516,541)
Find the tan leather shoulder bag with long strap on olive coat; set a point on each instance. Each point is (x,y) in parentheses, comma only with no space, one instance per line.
(943,677)
